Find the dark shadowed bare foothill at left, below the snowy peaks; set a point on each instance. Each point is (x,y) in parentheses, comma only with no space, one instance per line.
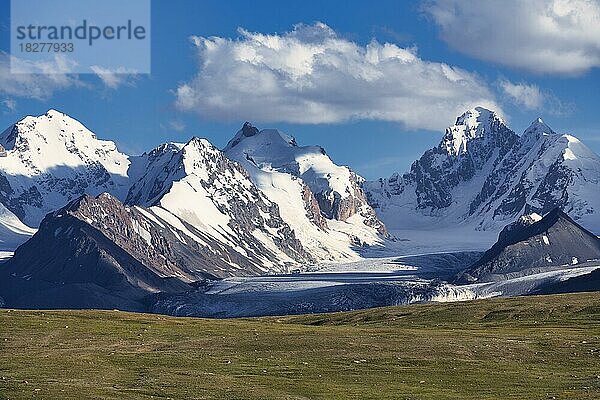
(77,263)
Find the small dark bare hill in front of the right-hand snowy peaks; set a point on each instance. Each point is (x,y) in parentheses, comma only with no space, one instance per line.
(533,245)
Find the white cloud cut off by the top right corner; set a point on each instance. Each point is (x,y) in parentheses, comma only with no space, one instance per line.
(541,36)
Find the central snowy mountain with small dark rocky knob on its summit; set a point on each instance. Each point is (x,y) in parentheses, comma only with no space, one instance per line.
(322,202)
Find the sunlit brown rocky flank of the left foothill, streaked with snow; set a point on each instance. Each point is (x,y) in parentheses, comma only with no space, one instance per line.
(169,247)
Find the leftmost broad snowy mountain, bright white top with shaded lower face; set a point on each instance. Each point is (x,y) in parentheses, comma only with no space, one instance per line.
(52,159)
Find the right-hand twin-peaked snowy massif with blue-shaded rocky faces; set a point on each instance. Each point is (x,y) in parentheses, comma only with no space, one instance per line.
(483,176)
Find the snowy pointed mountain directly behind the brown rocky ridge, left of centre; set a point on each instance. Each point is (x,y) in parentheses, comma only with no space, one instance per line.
(196,184)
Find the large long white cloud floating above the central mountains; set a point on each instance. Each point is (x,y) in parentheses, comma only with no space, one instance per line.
(312,75)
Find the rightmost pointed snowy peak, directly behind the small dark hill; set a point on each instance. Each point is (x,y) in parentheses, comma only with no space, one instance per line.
(544,170)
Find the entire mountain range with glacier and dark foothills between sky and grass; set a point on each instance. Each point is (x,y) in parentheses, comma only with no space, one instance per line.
(267,226)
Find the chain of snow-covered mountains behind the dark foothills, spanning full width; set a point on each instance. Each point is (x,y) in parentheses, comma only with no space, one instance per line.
(266,204)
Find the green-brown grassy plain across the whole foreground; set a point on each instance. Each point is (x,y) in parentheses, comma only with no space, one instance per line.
(538,347)
